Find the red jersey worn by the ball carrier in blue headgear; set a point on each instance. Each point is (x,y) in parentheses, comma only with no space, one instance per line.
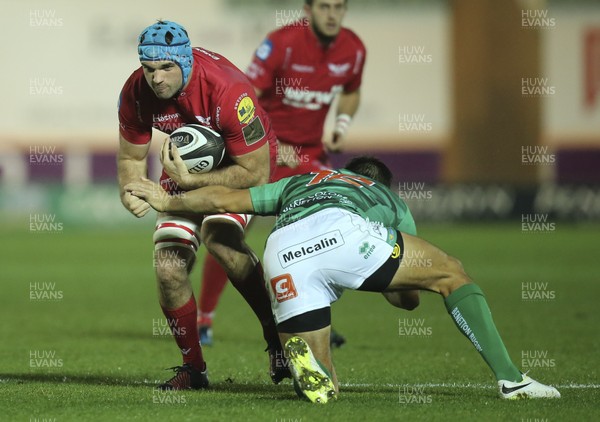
(218,95)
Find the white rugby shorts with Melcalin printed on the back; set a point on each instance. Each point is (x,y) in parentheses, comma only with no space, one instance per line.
(309,263)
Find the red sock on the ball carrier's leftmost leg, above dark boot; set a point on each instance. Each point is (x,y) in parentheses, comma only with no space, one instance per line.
(183,326)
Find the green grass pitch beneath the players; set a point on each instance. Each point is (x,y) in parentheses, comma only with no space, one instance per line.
(101,335)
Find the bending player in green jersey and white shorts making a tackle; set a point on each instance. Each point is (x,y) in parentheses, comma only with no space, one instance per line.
(346,229)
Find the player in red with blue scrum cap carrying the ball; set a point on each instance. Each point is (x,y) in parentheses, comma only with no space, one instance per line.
(176,85)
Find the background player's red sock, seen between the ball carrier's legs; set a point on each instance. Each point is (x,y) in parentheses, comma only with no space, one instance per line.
(214,280)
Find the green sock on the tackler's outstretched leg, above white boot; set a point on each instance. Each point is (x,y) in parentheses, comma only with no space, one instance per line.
(471,314)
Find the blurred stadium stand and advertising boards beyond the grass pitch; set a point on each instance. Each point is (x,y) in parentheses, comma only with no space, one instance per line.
(483,110)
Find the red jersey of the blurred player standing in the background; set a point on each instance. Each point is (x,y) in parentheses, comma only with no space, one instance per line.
(300,78)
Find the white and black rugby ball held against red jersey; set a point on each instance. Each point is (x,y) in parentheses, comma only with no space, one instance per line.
(201,148)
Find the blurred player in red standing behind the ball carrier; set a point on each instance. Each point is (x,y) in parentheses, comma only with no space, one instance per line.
(297,72)
